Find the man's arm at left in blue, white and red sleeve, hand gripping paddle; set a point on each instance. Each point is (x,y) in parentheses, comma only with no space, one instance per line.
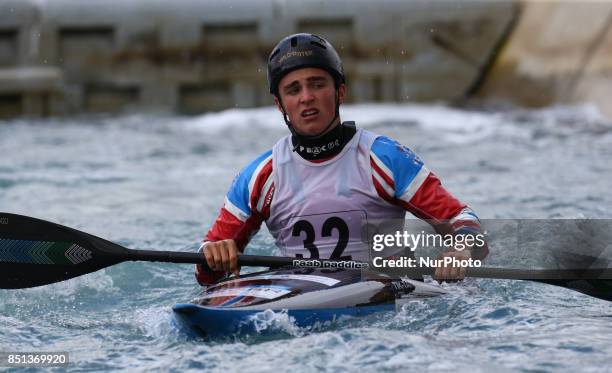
(240,217)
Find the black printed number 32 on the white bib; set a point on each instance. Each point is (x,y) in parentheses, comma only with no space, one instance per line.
(328,226)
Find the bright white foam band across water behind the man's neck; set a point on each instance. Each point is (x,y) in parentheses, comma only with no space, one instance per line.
(454,125)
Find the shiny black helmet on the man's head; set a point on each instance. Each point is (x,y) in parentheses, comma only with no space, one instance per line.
(303,50)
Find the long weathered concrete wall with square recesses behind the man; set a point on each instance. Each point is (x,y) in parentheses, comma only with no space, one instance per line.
(191,56)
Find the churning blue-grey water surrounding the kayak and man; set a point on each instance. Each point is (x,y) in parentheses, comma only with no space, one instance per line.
(157,182)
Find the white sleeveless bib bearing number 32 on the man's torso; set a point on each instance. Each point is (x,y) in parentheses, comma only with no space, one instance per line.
(320,210)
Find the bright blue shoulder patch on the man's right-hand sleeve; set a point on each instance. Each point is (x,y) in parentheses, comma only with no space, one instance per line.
(403,162)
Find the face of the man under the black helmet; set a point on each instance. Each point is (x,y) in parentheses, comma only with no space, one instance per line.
(308,96)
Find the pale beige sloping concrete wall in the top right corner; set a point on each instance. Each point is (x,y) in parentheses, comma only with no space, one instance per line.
(559,52)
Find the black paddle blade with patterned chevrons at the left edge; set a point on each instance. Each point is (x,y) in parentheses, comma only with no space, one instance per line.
(35,252)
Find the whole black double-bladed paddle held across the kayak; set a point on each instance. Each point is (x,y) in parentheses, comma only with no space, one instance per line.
(35,252)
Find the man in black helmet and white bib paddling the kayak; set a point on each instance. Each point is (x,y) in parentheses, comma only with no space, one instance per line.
(327,178)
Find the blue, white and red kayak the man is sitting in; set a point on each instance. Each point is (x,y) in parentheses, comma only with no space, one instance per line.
(310,298)
